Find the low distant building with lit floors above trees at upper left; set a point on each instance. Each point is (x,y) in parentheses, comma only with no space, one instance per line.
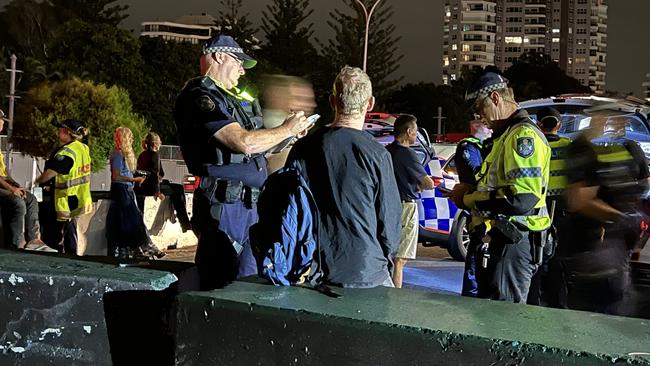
(189,28)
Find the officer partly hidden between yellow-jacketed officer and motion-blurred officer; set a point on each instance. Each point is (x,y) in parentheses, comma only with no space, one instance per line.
(549,121)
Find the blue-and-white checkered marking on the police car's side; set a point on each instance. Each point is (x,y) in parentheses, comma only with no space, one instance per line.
(435,211)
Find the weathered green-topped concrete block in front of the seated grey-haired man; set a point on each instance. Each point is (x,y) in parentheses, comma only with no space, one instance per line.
(251,324)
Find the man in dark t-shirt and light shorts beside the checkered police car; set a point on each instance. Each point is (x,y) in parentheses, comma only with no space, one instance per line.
(411,178)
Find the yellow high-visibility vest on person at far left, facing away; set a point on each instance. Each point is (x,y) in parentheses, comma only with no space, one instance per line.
(75,183)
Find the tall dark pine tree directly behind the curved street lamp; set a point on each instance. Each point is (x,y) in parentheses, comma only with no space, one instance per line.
(346,48)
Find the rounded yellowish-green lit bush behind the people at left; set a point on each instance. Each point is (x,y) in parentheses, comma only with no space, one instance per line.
(101,108)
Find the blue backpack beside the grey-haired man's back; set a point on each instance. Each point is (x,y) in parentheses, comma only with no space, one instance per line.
(285,239)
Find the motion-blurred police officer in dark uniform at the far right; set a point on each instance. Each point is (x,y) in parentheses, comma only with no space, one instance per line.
(606,180)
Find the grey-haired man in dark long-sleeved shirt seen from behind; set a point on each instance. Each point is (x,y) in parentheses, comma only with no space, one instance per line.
(352,181)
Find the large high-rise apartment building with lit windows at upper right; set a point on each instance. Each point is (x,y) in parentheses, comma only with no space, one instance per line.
(572,32)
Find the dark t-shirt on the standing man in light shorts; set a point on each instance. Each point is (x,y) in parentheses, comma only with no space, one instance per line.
(408,170)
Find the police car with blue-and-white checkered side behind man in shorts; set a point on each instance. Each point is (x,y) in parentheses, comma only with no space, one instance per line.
(441,222)
